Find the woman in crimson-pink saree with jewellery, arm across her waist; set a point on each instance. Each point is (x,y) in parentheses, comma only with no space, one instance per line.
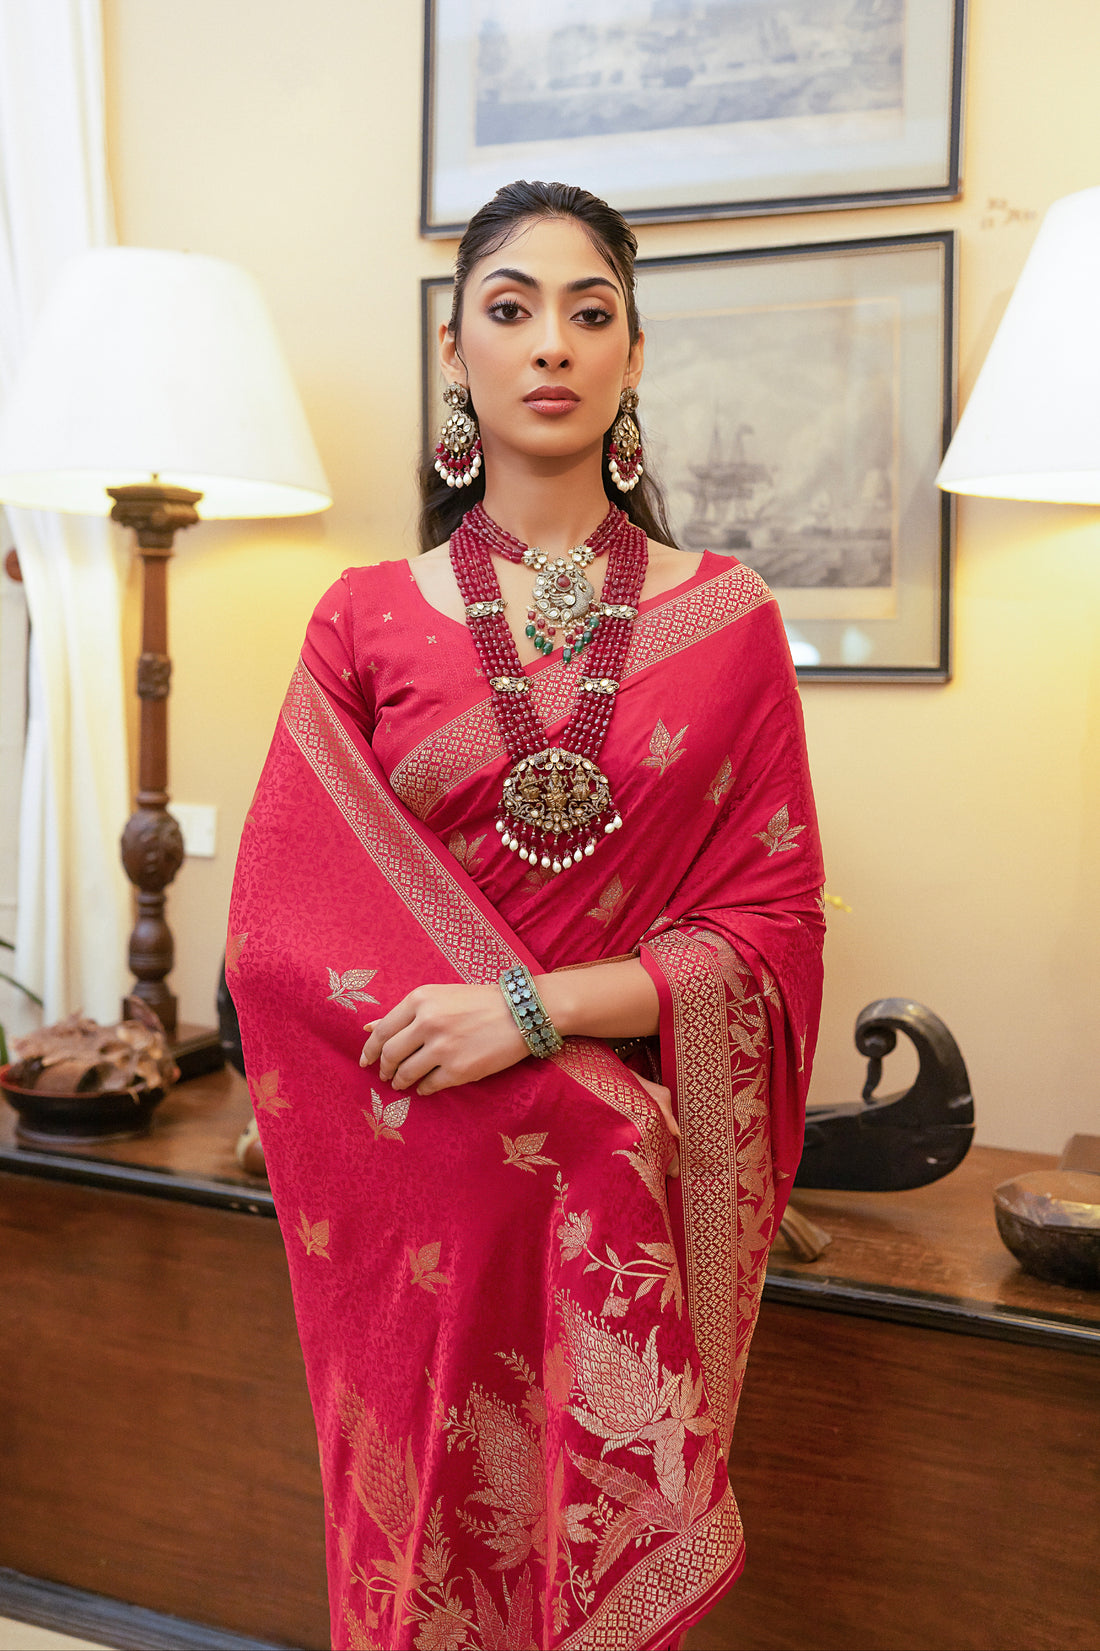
(538,795)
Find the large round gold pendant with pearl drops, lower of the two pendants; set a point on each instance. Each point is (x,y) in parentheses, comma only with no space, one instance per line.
(556,808)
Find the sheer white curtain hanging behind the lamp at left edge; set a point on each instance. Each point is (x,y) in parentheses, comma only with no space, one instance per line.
(55,202)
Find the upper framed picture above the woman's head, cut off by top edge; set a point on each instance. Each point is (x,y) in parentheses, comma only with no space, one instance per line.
(693,108)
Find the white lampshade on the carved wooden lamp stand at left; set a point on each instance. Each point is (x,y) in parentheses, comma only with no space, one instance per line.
(158,364)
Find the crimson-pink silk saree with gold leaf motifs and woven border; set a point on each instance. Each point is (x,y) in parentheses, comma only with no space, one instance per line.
(526,1341)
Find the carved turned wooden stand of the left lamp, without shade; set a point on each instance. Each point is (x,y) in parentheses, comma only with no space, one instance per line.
(153,848)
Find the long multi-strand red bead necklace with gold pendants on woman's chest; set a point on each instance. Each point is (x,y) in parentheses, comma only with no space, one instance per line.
(556,803)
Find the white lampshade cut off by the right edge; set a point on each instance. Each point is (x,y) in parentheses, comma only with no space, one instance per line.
(1031,428)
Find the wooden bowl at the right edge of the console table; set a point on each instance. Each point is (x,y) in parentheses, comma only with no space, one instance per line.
(1051,1223)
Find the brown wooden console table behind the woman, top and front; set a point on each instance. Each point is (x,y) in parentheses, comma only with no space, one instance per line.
(916,1455)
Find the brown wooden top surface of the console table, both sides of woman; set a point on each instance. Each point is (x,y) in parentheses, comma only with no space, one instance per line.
(927,1257)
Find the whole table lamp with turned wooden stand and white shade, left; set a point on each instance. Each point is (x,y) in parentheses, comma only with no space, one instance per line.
(154,390)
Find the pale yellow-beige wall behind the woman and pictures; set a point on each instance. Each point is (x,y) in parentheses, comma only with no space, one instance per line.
(960,821)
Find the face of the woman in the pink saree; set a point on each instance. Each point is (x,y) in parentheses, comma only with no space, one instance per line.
(544,344)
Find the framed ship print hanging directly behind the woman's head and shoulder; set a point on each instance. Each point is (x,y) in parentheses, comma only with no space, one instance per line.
(795,407)
